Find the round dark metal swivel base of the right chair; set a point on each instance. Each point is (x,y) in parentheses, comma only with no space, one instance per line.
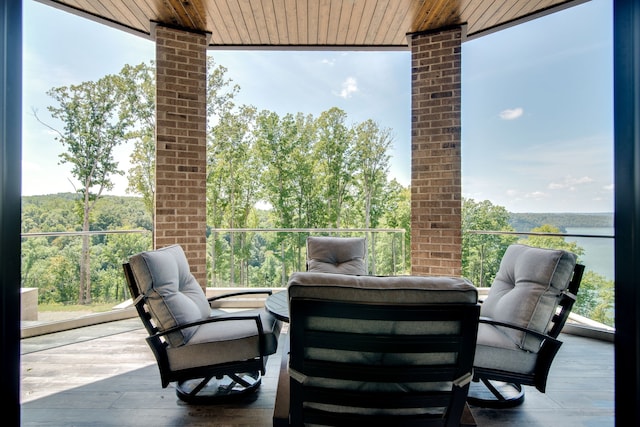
(495,394)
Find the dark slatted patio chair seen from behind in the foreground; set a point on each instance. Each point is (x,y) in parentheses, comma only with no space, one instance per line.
(378,351)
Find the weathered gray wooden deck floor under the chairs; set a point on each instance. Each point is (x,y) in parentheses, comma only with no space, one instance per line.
(105,375)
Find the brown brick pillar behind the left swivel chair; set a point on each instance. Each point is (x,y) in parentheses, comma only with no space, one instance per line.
(181,144)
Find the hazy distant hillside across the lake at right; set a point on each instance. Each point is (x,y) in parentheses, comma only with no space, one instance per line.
(524,222)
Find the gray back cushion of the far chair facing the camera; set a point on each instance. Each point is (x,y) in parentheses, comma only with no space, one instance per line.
(344,255)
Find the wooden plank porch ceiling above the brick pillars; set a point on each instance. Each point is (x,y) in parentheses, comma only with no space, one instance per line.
(373,24)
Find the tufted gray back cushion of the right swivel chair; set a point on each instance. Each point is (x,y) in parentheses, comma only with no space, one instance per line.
(525,291)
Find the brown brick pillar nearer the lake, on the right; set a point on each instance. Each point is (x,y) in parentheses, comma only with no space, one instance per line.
(436,238)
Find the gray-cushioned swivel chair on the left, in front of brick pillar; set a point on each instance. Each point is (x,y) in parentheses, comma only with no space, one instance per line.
(209,354)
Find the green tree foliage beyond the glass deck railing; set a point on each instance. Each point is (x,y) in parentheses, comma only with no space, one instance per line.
(264,171)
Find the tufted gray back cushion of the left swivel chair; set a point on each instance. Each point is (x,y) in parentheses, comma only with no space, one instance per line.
(172,293)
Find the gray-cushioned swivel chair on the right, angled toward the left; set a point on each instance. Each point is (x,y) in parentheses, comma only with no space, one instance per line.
(527,307)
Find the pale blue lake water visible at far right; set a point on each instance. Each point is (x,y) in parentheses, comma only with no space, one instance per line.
(598,252)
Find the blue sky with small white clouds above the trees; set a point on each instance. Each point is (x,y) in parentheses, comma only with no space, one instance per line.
(537,102)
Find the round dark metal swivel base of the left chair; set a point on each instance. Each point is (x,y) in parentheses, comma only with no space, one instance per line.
(213,389)
